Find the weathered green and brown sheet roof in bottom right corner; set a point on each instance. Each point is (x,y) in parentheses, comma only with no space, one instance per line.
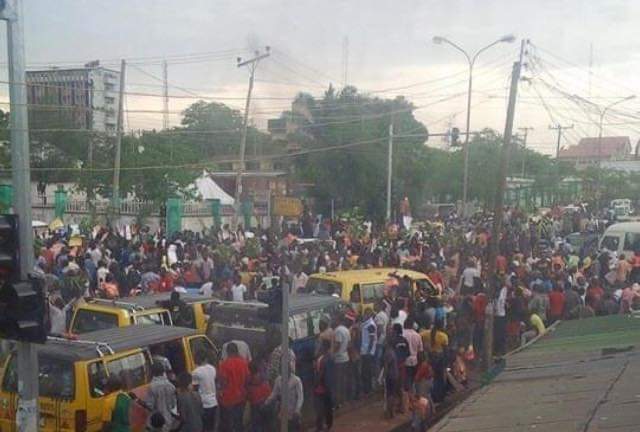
(584,377)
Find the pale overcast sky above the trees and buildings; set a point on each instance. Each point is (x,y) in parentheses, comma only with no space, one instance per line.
(389,52)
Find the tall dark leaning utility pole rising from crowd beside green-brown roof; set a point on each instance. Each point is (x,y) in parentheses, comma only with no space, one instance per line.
(493,283)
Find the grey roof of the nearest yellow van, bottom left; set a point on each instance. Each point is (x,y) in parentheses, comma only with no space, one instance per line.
(87,347)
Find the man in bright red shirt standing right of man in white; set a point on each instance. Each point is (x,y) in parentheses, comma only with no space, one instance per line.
(233,374)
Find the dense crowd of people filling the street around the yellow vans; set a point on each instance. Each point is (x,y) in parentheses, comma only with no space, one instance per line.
(416,348)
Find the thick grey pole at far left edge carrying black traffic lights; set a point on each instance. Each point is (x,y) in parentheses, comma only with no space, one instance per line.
(11,12)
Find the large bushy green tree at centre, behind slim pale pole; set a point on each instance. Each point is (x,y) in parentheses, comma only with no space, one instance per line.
(355,175)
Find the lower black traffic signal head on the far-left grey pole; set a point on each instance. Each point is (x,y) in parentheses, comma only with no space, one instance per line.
(23,311)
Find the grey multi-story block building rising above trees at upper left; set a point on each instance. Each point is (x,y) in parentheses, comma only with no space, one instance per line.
(79,98)
